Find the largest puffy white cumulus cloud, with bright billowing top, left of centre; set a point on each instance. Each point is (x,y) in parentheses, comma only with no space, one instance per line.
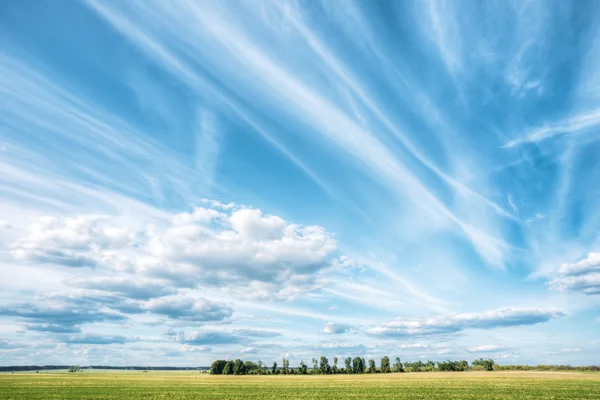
(240,248)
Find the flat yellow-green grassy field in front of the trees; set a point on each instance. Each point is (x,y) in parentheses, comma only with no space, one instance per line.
(194,385)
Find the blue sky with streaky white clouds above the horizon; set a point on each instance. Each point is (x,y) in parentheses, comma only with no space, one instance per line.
(191,181)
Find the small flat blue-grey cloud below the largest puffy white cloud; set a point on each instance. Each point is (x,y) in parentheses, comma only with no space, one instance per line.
(189,309)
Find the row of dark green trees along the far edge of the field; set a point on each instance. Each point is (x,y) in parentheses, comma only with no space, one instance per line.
(356,365)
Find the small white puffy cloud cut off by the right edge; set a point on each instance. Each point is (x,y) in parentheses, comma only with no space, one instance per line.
(582,276)
